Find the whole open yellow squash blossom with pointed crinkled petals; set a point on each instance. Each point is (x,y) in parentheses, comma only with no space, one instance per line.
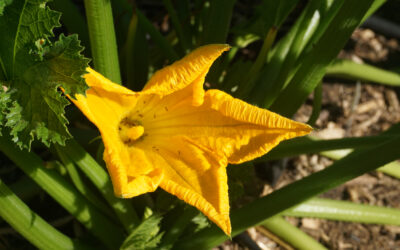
(176,136)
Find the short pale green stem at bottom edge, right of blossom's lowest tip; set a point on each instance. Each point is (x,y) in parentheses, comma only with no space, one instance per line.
(291,234)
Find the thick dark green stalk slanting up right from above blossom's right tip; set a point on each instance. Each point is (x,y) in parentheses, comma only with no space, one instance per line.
(325,50)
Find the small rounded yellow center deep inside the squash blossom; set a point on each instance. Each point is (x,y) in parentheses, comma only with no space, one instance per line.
(130,130)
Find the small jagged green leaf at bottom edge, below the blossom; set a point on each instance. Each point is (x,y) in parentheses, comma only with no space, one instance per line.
(145,236)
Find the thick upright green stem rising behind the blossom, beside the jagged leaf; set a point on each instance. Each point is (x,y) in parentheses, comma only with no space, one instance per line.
(102,38)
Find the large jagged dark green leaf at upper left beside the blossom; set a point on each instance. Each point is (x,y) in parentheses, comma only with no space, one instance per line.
(34,69)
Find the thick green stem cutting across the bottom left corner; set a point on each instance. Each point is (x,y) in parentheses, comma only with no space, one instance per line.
(30,225)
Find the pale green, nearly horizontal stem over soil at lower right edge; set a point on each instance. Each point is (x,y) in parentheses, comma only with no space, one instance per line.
(345,211)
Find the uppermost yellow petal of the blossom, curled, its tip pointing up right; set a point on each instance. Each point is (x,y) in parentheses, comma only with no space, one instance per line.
(185,71)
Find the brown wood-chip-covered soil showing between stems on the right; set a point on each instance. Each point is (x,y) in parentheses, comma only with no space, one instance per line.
(348,109)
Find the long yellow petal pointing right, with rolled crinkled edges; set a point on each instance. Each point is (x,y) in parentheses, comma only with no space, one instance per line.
(226,125)
